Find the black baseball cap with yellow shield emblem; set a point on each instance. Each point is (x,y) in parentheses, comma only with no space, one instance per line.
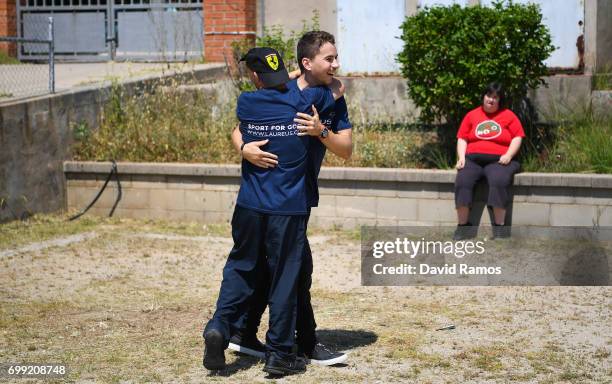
(268,65)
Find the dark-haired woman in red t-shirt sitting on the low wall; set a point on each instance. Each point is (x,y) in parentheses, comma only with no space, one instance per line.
(487,142)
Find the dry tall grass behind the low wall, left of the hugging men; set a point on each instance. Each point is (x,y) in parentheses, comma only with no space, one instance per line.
(165,124)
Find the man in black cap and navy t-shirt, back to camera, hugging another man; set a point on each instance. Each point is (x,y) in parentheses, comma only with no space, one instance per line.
(269,222)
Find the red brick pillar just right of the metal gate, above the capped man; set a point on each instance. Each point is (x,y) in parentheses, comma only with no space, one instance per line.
(222,17)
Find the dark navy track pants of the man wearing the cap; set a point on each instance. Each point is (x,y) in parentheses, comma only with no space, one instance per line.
(268,249)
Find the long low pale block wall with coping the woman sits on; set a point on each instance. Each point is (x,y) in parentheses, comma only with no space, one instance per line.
(349,196)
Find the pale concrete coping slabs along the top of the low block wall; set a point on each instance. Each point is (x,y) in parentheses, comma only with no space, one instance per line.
(341,174)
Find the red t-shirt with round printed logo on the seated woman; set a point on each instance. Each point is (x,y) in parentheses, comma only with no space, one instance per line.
(489,133)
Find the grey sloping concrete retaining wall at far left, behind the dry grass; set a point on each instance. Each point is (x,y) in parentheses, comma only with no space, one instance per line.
(35,138)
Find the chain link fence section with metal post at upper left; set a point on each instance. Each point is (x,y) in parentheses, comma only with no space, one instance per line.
(24,78)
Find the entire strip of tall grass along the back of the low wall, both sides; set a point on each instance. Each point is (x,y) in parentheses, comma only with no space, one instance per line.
(168,125)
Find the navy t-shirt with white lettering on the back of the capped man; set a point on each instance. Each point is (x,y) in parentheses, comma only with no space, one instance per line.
(268,114)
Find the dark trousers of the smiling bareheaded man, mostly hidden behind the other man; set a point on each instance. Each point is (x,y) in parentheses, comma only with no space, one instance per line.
(306,325)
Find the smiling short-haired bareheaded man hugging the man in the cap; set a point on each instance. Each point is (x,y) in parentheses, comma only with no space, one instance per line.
(317,58)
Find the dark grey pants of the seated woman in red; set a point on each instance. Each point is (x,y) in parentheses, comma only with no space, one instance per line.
(498,176)
